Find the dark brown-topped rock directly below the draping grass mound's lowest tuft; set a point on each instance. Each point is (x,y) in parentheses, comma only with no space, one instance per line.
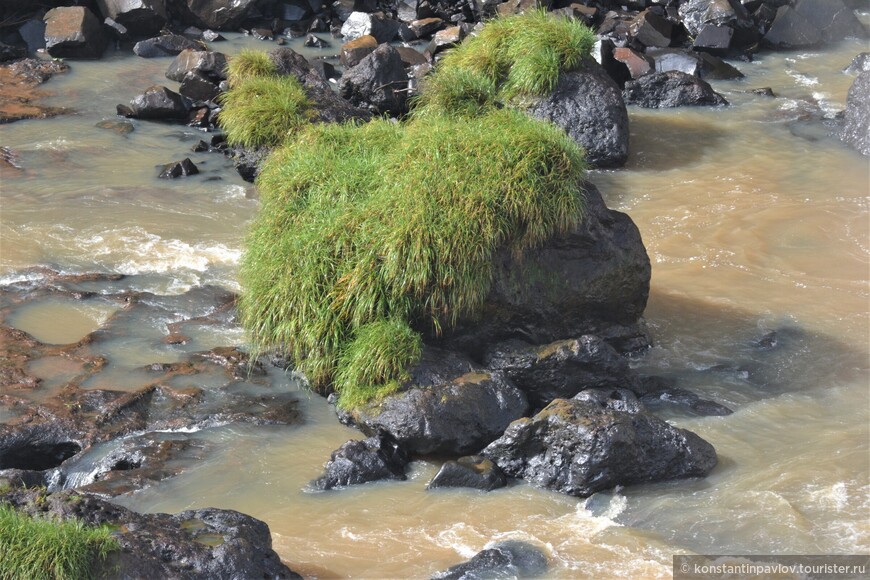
(450,406)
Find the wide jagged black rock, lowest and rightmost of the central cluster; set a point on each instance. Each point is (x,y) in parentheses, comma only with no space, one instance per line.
(579,447)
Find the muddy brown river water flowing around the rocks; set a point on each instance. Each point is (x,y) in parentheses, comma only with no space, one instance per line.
(755,220)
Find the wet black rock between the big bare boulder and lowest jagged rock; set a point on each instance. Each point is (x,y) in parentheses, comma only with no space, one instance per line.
(560,369)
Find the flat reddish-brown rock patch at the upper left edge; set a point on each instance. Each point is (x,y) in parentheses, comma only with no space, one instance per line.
(19,97)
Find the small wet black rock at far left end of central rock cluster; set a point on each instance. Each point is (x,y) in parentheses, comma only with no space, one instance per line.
(377,458)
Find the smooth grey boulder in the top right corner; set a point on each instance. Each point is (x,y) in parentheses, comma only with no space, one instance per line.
(809,23)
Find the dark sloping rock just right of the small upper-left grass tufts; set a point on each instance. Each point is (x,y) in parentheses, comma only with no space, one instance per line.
(329,106)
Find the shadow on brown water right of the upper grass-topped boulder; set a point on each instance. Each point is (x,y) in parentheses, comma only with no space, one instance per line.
(664,140)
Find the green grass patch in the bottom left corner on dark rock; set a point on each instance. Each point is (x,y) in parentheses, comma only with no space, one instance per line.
(35,549)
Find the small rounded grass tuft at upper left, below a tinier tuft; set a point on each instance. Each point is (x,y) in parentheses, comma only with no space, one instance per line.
(264,111)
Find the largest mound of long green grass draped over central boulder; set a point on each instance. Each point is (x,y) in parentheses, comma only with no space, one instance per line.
(368,230)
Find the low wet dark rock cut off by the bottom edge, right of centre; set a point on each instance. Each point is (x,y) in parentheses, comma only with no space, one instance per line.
(506,559)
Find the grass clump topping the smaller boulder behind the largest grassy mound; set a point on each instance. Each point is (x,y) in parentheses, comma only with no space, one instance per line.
(521,56)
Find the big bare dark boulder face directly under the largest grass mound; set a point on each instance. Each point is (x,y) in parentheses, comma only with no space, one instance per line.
(591,280)
